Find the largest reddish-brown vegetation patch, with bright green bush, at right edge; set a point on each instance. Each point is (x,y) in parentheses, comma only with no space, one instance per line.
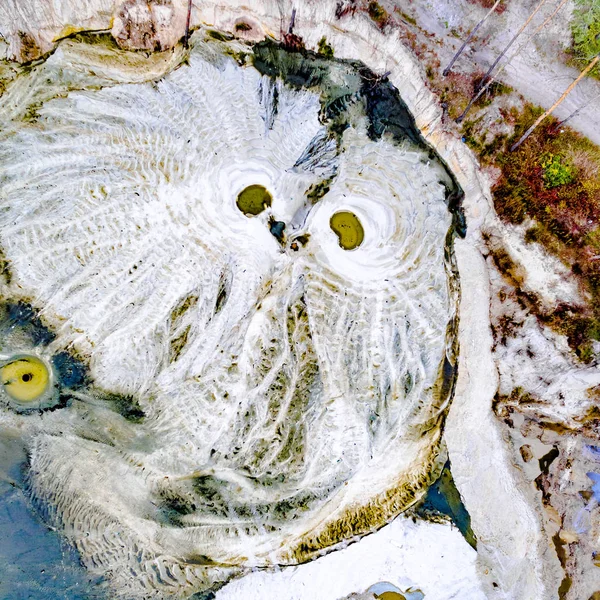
(566,215)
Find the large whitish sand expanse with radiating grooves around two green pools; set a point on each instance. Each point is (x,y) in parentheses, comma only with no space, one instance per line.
(292,397)
